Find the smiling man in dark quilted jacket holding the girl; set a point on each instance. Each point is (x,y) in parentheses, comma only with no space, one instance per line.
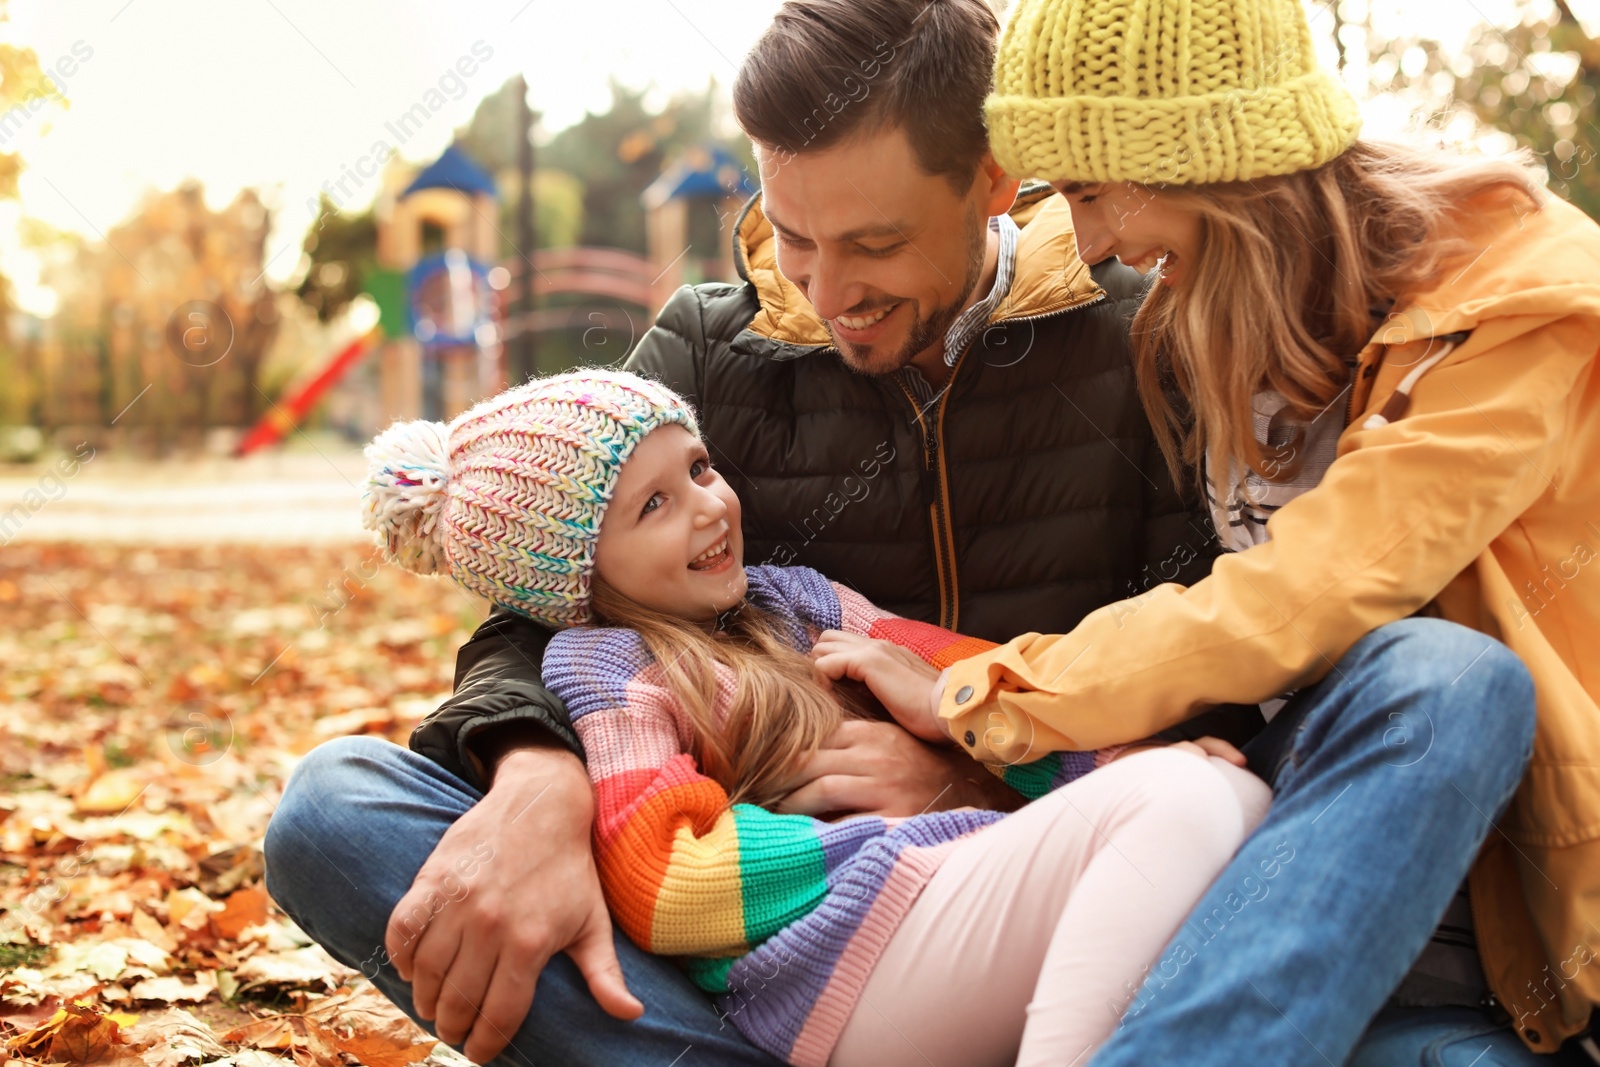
(918,390)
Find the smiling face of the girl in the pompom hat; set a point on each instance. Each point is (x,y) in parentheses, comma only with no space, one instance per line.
(671,533)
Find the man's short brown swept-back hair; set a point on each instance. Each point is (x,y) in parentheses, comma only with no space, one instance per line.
(826,70)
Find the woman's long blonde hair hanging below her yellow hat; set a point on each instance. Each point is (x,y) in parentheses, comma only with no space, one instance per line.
(1284,289)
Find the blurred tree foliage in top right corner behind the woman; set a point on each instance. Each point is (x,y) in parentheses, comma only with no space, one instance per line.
(1535,79)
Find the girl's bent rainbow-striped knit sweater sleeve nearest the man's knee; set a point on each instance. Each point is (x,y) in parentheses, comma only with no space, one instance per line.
(682,873)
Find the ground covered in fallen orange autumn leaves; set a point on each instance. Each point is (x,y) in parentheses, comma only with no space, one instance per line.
(151,708)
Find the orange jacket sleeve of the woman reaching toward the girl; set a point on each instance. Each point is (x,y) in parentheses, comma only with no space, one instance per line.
(1402,511)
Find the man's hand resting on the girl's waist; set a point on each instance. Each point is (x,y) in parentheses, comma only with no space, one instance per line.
(879,769)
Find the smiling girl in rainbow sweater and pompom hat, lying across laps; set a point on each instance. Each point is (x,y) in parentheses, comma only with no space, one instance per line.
(588,502)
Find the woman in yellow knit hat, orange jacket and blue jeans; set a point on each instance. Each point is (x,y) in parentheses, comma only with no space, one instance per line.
(1388,367)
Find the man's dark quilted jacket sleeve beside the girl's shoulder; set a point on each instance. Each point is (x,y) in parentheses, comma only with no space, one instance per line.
(497,682)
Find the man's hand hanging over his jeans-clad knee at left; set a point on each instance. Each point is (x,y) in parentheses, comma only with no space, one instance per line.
(508,887)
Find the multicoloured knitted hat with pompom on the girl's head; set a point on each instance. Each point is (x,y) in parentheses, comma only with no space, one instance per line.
(508,498)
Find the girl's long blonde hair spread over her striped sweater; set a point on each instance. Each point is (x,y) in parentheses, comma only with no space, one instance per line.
(782,709)
